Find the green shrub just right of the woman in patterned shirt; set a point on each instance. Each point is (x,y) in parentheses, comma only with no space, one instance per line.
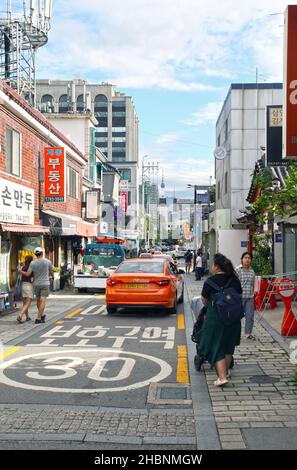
(262,259)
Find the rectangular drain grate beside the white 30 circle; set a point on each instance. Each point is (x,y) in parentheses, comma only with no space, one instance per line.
(169,394)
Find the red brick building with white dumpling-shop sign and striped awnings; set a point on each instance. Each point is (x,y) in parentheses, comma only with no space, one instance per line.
(26,220)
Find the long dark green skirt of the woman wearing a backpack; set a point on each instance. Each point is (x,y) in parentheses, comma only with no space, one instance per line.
(215,340)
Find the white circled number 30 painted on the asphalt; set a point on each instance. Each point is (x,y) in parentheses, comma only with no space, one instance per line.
(101,357)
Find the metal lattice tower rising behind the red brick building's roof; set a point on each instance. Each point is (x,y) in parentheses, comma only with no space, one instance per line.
(24,28)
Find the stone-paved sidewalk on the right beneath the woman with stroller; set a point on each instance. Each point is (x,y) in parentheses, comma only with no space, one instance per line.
(258,408)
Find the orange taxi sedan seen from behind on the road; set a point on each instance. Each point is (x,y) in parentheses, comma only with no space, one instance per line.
(145,282)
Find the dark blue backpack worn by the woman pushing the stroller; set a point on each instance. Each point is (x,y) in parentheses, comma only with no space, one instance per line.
(227,302)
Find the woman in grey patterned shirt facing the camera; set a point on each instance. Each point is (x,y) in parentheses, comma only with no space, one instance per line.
(246,275)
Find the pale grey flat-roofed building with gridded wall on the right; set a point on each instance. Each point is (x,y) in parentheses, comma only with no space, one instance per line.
(244,113)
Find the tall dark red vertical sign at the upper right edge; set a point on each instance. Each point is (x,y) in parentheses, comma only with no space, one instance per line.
(290,84)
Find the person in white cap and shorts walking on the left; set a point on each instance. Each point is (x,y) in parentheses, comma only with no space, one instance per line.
(41,269)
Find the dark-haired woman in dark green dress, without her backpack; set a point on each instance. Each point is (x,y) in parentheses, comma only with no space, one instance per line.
(216,341)
